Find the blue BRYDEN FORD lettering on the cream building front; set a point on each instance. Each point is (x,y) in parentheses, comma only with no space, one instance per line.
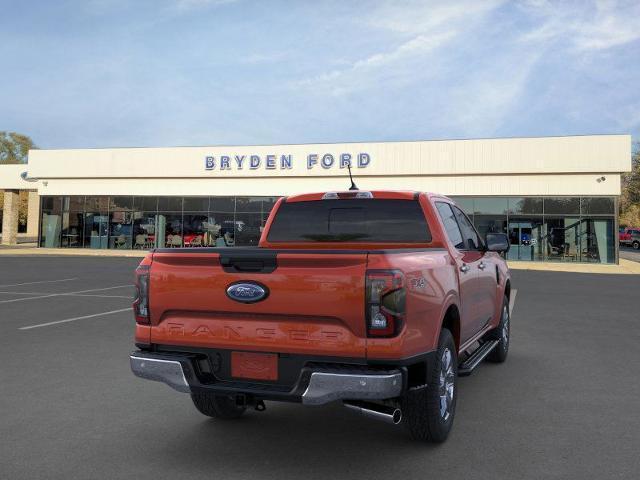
(285,162)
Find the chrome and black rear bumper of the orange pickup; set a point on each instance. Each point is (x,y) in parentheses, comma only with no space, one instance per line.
(315,385)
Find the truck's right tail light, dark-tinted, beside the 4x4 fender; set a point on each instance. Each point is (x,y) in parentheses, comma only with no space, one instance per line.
(385,306)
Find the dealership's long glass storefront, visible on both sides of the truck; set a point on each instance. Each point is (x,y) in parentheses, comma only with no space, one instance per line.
(539,228)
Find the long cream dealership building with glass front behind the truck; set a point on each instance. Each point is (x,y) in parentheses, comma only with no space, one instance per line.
(555,197)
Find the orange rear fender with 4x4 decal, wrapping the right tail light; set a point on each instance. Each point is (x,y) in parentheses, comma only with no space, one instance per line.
(431,286)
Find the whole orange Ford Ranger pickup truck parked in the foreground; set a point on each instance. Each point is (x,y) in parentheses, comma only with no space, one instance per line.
(376,299)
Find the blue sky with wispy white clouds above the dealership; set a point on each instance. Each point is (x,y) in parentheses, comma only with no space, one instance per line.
(104,73)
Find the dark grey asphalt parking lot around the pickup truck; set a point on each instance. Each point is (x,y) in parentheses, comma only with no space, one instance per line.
(565,405)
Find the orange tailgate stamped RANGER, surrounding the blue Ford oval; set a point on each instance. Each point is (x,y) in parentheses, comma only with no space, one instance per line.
(315,303)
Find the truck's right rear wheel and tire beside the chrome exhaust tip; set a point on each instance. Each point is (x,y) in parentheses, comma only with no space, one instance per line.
(428,412)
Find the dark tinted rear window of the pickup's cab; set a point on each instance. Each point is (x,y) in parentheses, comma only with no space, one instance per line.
(350,220)
